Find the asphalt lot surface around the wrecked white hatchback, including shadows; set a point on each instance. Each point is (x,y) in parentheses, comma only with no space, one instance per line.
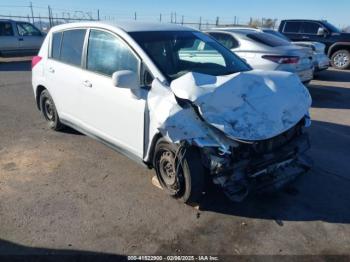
(63,191)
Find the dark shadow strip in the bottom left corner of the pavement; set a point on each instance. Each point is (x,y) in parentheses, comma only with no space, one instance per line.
(10,251)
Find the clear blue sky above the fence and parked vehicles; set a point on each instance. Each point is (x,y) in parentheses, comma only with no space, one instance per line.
(335,11)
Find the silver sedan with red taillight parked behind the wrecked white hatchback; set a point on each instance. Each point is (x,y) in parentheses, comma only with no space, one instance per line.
(267,52)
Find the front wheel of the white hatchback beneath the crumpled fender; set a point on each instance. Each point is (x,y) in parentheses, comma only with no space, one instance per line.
(188,182)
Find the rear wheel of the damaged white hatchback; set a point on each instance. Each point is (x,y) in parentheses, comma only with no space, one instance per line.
(48,109)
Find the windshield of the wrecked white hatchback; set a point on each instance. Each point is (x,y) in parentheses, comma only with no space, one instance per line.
(179,52)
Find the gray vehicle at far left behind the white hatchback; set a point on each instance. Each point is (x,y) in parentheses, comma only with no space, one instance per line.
(19,38)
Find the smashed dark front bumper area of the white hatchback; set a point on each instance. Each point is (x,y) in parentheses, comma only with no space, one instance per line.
(268,172)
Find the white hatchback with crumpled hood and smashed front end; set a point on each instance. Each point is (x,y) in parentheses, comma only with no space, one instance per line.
(147,91)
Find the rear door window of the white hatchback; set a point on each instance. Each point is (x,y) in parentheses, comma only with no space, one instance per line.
(72,46)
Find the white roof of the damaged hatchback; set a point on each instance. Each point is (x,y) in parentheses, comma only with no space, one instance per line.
(129,26)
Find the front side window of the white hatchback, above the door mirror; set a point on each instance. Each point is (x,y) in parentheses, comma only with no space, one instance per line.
(107,54)
